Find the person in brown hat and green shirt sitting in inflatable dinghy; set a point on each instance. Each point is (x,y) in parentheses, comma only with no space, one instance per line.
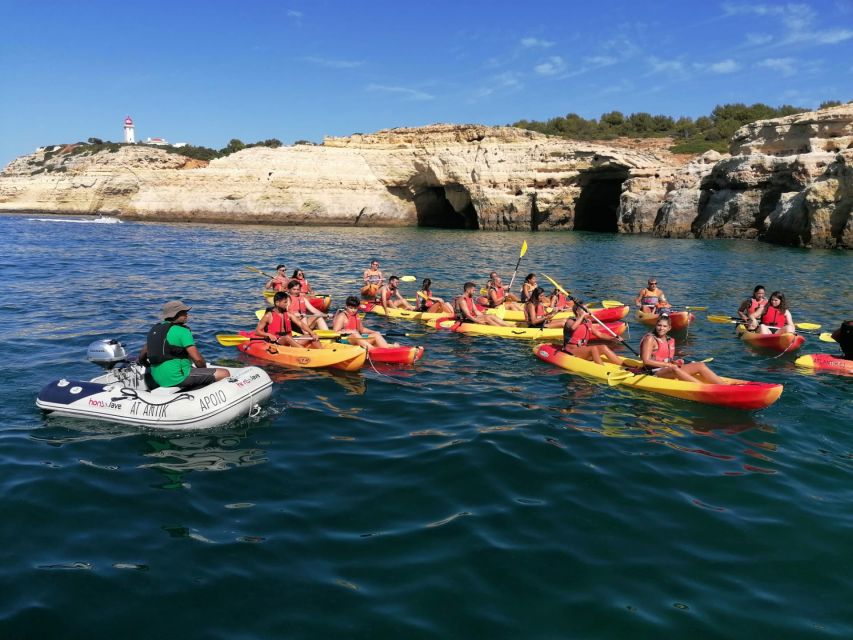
(170,352)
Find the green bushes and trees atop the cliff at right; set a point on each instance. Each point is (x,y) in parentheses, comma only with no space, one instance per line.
(692,136)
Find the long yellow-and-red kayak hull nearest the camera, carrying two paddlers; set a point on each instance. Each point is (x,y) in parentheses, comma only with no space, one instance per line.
(739,394)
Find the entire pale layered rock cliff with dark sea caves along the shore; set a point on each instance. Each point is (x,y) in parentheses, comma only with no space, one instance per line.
(787,180)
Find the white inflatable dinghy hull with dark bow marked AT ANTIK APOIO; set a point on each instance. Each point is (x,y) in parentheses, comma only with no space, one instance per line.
(122,396)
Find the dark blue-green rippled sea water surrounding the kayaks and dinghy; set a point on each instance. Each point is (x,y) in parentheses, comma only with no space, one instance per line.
(481,493)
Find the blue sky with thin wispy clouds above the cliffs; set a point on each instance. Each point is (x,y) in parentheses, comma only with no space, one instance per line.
(206,72)
